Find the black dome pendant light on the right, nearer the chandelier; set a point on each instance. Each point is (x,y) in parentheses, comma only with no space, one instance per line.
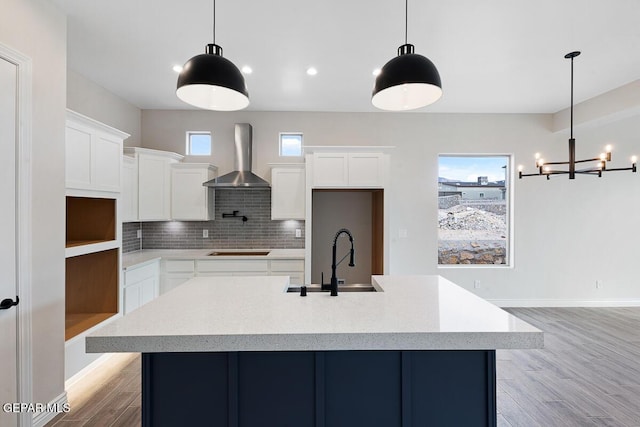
(408,81)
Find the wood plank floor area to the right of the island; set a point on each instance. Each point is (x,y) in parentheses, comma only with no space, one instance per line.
(588,373)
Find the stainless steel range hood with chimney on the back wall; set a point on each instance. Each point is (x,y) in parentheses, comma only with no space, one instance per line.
(241,177)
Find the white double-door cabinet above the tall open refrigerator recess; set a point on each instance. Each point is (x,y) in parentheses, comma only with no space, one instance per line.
(349,170)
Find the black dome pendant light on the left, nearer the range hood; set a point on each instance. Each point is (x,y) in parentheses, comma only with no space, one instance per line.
(212,82)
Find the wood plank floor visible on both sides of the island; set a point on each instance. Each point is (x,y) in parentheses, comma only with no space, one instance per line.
(588,374)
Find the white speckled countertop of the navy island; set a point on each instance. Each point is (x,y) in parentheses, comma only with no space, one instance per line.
(256,314)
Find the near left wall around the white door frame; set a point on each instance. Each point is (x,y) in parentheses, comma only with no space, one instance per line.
(38,30)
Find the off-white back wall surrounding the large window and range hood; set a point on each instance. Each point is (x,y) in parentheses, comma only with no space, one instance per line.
(567,234)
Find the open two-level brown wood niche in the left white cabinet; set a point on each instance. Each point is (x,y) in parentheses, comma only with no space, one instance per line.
(92,263)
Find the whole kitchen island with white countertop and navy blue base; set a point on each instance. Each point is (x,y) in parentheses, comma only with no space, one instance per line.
(241,351)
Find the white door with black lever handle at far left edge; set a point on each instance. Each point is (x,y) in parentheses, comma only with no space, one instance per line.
(8,280)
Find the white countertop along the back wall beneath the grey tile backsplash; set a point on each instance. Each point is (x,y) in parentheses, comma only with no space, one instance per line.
(132,259)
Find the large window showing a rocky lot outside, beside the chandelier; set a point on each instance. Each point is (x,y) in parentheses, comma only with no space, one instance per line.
(474,209)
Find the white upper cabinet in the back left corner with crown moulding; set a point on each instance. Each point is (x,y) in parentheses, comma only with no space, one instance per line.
(154,182)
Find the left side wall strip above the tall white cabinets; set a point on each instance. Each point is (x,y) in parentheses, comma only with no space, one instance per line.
(88,98)
